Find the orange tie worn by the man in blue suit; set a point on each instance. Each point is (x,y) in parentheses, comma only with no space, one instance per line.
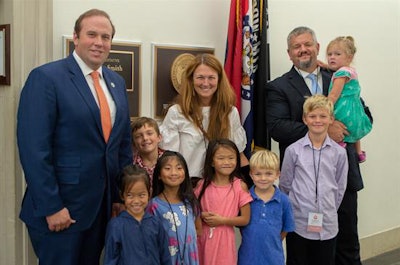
(104,108)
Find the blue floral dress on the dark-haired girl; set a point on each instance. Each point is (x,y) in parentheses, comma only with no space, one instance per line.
(184,223)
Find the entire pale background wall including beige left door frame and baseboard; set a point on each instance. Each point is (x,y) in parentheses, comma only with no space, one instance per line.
(375,26)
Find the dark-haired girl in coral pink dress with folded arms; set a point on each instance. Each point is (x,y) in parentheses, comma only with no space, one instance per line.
(225,203)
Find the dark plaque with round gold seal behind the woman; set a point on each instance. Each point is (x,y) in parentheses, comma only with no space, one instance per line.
(169,62)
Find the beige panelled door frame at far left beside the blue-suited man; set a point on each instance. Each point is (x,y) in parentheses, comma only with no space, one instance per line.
(31,35)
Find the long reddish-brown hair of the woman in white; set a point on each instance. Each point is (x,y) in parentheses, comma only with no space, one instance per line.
(221,104)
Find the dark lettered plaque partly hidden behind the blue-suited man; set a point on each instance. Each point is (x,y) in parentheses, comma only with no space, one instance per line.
(124,58)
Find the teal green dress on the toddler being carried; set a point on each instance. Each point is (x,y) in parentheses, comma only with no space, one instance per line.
(348,107)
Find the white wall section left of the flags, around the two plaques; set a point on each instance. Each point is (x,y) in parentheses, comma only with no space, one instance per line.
(185,22)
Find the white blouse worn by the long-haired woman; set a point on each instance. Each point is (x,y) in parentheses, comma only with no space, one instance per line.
(181,135)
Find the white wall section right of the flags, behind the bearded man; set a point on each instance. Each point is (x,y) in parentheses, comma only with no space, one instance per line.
(375,27)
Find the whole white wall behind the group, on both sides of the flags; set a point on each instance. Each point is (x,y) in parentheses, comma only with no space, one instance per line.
(374,25)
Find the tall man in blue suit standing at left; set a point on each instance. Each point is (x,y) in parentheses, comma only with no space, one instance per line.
(70,167)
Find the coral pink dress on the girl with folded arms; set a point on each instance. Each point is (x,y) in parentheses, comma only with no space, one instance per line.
(217,244)
